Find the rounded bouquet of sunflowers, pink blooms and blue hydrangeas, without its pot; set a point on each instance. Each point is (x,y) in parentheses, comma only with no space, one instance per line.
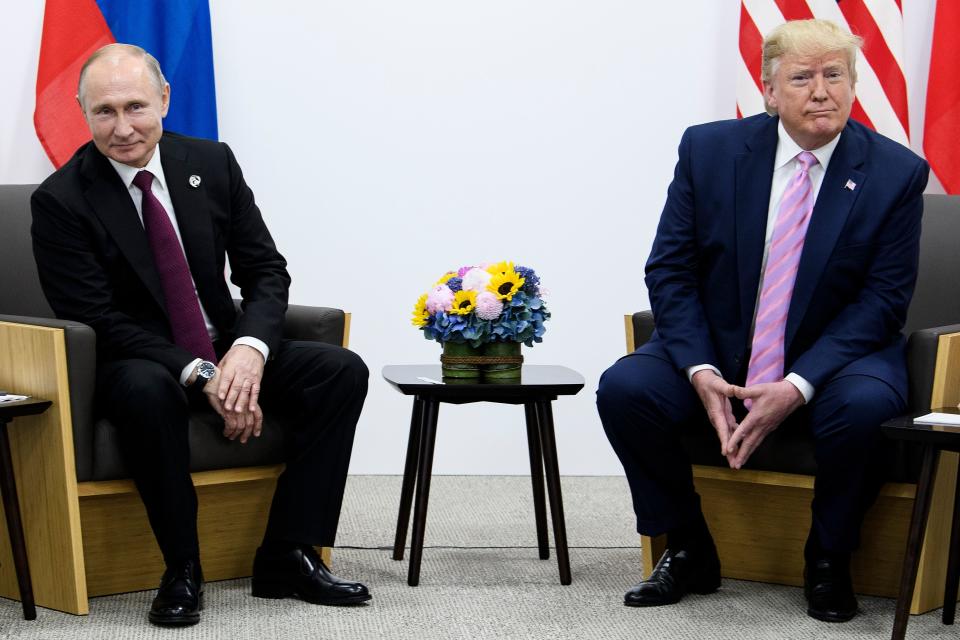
(483,304)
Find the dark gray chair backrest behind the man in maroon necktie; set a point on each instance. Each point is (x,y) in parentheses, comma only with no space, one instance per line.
(20,294)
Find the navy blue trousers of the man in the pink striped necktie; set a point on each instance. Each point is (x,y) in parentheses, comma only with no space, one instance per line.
(645,405)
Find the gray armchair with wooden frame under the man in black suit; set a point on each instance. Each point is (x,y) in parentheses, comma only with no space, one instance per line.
(86,530)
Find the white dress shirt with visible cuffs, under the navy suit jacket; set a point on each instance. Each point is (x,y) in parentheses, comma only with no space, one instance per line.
(785,165)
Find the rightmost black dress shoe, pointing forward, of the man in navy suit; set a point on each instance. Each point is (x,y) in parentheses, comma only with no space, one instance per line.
(829,589)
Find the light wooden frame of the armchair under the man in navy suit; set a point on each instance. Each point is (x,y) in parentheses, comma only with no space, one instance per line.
(760,519)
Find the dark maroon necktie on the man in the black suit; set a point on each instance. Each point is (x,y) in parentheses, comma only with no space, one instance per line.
(183,306)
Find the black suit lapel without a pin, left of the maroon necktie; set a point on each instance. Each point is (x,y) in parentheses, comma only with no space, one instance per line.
(111,202)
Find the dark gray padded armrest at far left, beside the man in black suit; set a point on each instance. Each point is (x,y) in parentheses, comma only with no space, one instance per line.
(81,346)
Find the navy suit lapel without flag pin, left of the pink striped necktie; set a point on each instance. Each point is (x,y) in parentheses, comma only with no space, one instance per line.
(754,175)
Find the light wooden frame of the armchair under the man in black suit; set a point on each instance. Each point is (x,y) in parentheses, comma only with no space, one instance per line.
(88,539)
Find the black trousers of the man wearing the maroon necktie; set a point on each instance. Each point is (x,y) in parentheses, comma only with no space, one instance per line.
(315,390)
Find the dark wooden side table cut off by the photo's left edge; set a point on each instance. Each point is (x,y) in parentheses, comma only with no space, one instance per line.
(11,505)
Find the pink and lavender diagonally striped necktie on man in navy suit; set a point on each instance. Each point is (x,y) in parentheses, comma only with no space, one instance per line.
(783,258)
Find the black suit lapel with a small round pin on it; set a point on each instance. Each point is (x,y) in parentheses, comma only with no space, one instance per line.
(192,213)
